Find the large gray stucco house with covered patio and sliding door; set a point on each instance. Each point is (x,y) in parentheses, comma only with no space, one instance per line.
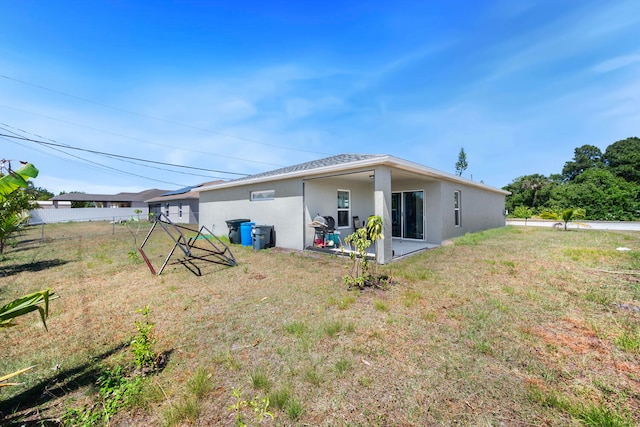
(421,207)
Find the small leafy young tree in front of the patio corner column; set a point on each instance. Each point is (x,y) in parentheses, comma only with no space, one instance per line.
(364,272)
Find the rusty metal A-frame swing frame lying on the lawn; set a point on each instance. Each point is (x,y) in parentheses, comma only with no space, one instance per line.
(217,251)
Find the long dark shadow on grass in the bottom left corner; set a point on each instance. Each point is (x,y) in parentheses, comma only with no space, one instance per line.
(17,410)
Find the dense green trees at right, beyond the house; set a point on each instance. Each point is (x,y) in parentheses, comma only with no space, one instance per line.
(600,186)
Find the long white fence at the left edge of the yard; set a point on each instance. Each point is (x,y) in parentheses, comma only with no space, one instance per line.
(49,216)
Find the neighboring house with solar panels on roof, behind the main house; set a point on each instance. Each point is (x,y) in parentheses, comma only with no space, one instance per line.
(180,206)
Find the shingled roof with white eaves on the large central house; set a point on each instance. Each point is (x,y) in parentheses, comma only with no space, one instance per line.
(346,162)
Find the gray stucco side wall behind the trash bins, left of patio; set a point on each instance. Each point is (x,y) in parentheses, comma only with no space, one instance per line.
(284,212)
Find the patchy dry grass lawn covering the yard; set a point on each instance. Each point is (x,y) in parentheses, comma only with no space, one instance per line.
(516,326)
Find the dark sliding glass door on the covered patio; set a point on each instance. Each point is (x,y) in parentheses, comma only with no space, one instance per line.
(407,214)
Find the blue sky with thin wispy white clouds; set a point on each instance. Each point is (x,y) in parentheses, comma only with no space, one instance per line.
(245,87)
